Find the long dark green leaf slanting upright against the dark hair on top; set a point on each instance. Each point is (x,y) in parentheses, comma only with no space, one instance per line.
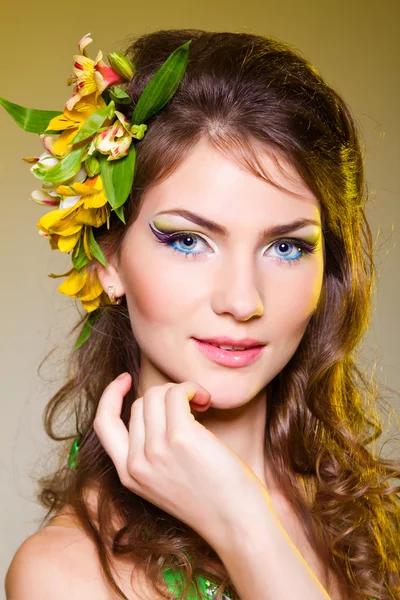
(162,86)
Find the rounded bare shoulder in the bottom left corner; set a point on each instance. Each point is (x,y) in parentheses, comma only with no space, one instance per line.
(55,563)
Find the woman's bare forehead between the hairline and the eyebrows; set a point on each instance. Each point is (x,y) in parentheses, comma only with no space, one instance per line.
(218,185)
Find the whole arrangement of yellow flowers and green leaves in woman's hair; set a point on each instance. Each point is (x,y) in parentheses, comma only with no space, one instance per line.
(87,169)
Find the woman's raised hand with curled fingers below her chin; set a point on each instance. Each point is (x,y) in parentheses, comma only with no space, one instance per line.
(172,460)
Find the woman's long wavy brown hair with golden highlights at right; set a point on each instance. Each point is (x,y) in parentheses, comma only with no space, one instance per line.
(247,94)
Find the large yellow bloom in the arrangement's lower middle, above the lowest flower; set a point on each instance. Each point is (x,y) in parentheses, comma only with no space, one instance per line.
(65,224)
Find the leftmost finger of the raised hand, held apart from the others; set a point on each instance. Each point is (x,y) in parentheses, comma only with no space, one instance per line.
(109,426)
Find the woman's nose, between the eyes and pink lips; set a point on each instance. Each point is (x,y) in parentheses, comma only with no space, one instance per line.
(237,289)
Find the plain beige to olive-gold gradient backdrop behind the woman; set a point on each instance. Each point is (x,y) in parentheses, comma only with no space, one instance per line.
(353,43)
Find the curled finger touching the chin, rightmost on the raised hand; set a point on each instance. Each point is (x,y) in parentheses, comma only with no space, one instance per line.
(178,401)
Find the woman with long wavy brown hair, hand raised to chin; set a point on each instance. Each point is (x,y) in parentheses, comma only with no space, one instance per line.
(245,226)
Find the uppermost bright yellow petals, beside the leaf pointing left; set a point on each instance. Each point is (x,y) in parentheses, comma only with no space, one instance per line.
(71,121)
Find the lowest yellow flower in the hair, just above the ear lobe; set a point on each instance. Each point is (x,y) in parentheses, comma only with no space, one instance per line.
(85,286)
